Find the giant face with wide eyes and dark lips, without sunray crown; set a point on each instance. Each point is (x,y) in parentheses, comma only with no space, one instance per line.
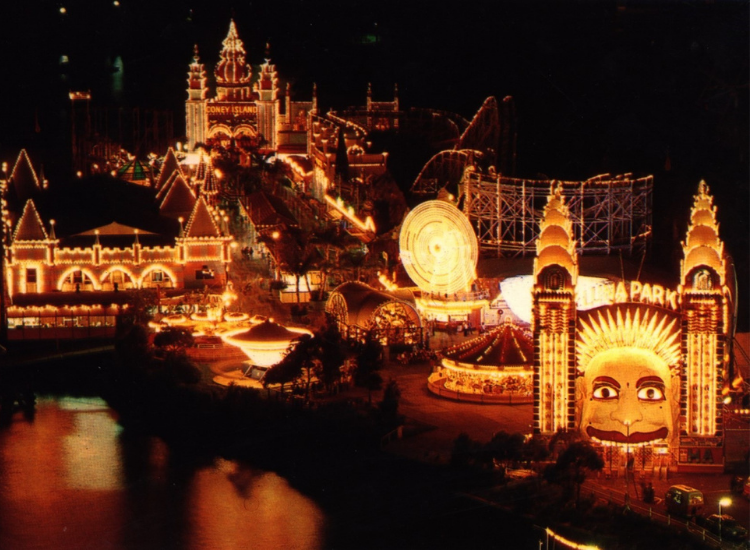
(628,396)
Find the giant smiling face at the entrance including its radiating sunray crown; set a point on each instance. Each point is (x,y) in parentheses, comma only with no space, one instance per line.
(628,385)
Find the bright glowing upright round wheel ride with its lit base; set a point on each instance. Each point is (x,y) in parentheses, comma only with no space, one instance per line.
(439,252)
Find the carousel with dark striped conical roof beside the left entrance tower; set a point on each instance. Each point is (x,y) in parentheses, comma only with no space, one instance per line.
(496,367)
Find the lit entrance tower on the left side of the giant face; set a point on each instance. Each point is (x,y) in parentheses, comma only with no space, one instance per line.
(554,319)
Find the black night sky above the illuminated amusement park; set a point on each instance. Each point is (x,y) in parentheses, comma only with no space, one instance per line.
(655,88)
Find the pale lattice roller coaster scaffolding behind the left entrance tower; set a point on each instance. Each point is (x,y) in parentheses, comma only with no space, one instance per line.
(609,213)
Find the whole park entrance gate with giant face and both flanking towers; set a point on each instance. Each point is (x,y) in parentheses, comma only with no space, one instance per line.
(645,373)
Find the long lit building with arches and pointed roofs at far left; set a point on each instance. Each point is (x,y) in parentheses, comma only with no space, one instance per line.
(74,251)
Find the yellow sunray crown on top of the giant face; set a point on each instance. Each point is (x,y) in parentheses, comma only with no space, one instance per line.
(640,328)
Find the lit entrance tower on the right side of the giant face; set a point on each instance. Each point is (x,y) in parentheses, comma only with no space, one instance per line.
(706,306)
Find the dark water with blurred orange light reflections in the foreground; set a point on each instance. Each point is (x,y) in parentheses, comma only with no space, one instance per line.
(72,479)
